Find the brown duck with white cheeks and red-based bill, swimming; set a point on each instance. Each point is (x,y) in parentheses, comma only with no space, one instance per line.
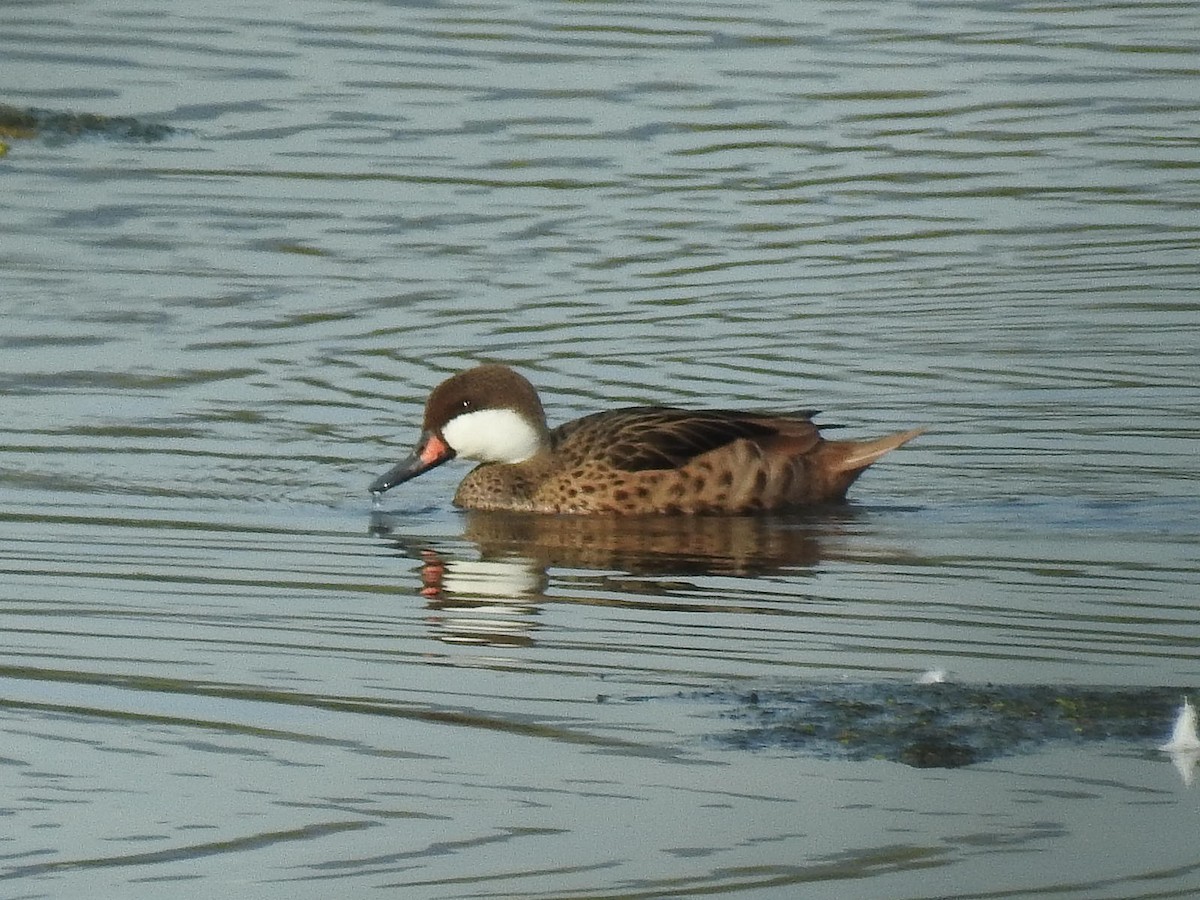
(638,460)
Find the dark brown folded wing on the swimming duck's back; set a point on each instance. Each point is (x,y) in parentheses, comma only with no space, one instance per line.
(643,439)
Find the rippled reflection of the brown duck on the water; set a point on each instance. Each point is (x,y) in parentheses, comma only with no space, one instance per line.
(490,586)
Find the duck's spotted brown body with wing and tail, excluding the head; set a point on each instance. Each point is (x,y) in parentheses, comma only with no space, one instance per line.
(661,460)
